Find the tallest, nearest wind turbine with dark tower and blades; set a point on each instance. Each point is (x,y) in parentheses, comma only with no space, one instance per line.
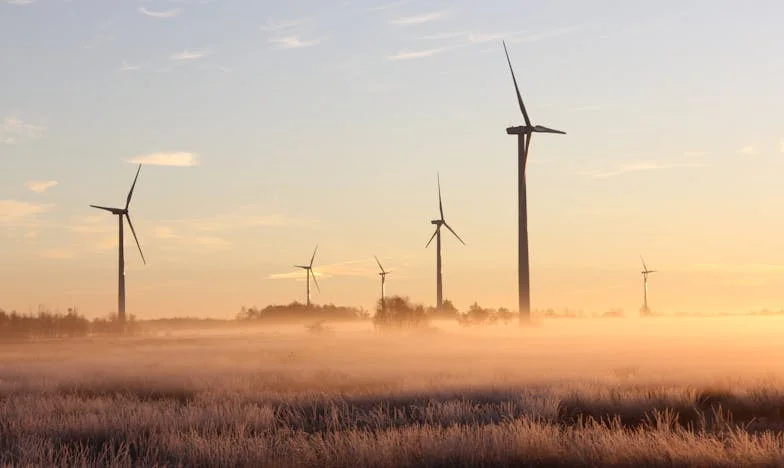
(524,134)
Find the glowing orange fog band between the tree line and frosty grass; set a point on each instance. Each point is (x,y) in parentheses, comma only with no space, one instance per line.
(693,350)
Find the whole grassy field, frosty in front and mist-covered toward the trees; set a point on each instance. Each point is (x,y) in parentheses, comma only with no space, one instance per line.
(590,392)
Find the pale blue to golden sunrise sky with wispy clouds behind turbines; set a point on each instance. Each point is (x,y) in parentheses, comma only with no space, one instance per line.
(266,128)
